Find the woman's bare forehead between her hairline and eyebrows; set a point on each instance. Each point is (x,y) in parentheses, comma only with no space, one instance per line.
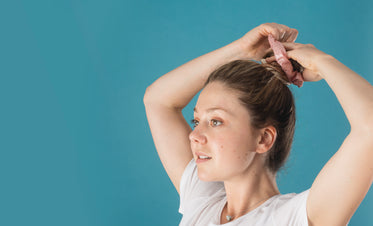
(217,95)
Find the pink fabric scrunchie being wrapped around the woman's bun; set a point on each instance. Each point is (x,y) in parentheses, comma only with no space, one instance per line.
(282,59)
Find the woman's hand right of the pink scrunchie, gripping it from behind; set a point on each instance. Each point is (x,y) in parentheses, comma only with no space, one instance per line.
(307,56)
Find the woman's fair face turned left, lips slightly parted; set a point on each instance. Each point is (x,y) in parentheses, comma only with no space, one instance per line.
(223,132)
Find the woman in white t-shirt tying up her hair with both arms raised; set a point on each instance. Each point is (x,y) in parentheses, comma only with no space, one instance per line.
(225,169)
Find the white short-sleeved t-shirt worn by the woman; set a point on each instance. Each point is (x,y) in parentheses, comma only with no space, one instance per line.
(201,204)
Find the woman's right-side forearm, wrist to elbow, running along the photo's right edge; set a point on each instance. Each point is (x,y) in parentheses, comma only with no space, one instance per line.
(354,93)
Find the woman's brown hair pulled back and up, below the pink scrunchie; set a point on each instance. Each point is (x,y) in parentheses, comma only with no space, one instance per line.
(264,92)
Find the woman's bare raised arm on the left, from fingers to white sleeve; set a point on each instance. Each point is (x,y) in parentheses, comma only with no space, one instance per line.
(169,94)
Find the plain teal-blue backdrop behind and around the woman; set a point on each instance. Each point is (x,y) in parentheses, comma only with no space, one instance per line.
(75,144)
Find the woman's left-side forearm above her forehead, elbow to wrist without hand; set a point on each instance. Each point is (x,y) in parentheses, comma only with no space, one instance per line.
(176,88)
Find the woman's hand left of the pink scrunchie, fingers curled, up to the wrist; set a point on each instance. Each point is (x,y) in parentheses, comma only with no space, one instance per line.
(255,42)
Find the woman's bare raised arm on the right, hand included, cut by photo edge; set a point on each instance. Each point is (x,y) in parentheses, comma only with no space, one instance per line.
(346,178)
